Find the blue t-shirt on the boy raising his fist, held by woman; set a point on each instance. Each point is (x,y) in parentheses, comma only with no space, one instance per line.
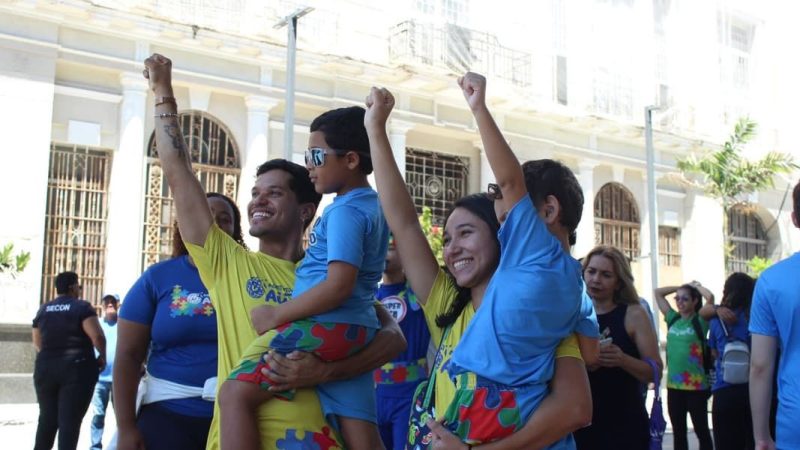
(535,298)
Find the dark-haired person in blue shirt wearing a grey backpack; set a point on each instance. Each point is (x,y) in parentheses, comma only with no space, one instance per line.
(730,414)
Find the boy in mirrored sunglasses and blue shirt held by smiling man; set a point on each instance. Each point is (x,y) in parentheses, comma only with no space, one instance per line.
(332,312)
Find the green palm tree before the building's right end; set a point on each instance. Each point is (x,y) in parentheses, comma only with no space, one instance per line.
(729,177)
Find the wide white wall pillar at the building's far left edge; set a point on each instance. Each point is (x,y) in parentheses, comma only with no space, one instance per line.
(27,75)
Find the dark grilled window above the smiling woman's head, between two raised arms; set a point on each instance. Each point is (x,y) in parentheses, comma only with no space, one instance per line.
(435,180)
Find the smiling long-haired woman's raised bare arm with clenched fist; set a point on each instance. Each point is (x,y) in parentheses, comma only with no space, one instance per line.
(419,263)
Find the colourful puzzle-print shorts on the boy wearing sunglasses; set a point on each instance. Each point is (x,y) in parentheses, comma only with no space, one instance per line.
(329,341)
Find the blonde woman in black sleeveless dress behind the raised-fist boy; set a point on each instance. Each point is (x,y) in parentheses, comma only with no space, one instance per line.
(619,417)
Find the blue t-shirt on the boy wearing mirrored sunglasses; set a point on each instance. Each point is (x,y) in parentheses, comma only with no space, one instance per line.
(353,230)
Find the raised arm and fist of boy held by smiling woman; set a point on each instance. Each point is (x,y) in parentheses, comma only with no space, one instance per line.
(504,164)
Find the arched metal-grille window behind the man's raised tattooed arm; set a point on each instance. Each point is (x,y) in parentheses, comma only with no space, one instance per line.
(215,161)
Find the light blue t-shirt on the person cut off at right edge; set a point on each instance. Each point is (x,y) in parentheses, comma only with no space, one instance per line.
(776,313)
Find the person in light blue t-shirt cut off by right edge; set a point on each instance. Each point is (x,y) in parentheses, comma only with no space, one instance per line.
(774,324)
